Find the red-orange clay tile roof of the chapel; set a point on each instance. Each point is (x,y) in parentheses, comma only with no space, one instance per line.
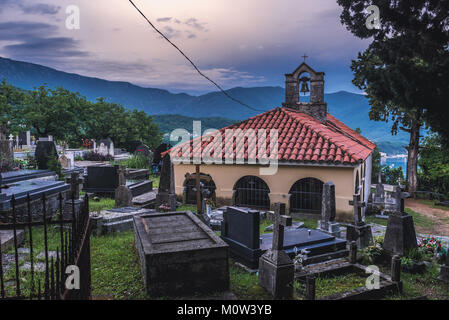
(301,139)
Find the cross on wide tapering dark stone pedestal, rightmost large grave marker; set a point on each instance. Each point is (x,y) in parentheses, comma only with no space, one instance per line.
(400,235)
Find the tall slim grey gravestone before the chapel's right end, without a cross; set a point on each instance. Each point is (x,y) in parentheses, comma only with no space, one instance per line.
(327,223)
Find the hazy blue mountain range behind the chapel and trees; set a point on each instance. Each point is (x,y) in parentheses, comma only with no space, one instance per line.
(349,107)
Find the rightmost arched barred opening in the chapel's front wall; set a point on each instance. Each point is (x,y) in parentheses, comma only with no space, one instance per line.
(306,196)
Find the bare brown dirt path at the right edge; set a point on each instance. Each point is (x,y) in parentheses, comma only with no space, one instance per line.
(438,216)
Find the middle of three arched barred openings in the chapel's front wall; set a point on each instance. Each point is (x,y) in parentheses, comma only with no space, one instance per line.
(252,191)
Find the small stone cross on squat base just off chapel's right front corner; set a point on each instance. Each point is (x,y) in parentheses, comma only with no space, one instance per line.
(359,231)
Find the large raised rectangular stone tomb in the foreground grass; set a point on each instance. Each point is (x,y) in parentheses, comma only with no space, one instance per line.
(180,255)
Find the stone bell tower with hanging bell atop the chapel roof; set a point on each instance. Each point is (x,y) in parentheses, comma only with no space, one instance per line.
(316,108)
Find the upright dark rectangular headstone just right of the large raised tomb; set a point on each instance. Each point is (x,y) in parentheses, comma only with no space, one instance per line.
(240,230)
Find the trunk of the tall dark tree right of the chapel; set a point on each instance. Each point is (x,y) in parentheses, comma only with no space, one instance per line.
(413,150)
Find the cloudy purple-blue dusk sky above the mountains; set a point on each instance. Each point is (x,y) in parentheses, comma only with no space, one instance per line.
(237,43)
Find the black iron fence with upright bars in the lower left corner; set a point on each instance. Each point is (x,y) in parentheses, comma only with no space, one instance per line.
(65,241)
